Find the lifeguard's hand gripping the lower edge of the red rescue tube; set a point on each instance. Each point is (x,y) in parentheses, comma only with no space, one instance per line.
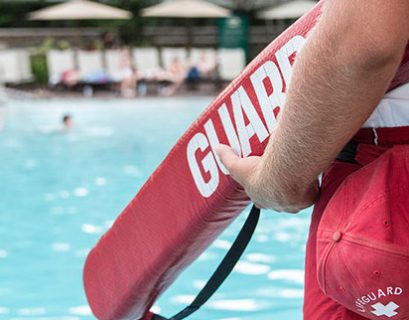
(249,173)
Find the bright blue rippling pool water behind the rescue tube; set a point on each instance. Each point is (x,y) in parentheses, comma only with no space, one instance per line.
(60,191)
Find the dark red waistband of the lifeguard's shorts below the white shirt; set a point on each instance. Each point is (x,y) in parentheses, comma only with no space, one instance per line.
(383,136)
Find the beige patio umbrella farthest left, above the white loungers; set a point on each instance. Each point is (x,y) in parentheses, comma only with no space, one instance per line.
(80,10)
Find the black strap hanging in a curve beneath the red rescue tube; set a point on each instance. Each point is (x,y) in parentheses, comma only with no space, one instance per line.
(224,269)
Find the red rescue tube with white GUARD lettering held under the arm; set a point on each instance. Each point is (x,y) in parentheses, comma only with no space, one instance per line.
(188,201)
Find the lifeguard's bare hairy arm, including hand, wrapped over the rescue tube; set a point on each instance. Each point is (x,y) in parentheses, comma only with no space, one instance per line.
(338,79)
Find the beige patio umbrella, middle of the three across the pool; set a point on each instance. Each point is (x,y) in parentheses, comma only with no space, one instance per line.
(186,9)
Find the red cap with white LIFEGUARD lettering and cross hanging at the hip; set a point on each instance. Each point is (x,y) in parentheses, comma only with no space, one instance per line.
(363,239)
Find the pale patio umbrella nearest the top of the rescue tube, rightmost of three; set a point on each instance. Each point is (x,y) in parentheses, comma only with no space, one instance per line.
(289,10)
